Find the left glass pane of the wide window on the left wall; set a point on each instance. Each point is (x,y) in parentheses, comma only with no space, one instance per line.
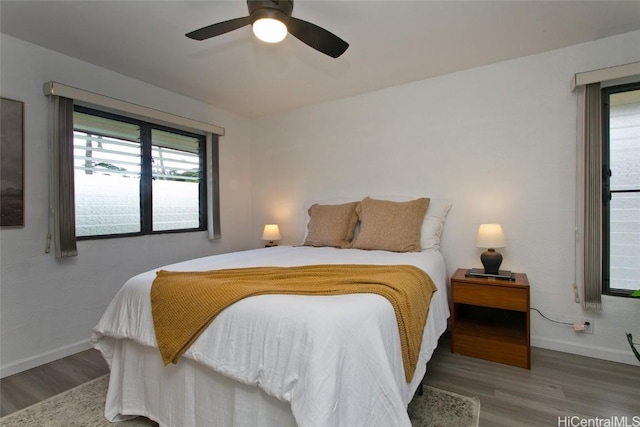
(107,176)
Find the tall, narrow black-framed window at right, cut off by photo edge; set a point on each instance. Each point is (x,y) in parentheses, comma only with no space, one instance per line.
(621,189)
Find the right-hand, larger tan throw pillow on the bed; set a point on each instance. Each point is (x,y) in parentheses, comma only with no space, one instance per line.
(390,226)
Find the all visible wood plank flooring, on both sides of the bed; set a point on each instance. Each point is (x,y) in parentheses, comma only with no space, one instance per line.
(558,385)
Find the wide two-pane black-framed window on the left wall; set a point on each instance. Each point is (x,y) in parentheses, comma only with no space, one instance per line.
(133,177)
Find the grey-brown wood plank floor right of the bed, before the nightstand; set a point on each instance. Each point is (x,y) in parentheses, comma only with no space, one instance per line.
(558,385)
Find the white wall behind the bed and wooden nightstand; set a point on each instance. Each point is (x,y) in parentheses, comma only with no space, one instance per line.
(499,141)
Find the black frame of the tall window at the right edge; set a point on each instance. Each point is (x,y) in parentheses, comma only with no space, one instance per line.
(606,189)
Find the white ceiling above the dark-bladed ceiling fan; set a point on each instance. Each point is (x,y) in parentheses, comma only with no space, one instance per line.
(391,42)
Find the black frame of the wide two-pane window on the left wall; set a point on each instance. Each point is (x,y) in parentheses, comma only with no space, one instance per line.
(146,180)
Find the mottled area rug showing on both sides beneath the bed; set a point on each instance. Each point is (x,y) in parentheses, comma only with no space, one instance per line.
(83,406)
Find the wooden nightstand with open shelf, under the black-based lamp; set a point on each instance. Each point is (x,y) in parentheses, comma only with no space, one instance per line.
(490,318)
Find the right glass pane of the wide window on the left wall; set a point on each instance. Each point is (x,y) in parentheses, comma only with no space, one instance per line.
(176,181)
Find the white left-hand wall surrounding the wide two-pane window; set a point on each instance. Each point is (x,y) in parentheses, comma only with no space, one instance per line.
(49,306)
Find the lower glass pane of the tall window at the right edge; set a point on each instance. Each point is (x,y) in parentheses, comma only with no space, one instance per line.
(624,241)
